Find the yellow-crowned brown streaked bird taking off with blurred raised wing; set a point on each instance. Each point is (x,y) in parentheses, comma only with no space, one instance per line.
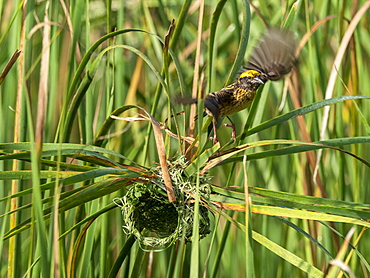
(272,58)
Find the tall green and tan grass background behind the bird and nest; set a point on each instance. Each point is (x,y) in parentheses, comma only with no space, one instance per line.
(80,85)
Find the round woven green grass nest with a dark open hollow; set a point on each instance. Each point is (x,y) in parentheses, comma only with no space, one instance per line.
(153,220)
